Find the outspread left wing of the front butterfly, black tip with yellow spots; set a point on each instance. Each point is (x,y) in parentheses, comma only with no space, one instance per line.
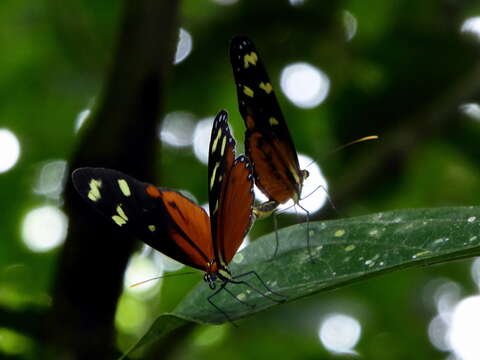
(164,219)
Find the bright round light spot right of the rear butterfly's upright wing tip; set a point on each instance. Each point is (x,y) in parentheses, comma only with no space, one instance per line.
(304,85)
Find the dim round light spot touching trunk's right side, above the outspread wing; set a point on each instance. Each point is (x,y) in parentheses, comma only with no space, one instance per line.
(177,129)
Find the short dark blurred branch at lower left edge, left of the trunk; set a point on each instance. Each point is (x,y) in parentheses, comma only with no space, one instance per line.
(28,322)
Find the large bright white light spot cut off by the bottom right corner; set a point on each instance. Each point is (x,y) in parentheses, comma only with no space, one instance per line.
(465,327)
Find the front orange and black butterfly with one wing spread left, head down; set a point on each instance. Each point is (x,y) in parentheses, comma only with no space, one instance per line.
(174,225)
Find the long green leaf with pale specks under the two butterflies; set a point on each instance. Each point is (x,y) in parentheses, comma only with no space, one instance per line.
(343,251)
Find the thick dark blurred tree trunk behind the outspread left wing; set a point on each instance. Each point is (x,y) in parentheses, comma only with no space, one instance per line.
(122,135)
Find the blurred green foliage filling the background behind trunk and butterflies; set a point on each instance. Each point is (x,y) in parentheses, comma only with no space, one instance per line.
(403,76)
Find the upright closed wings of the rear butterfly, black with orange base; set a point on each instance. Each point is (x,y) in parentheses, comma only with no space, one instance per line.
(268,142)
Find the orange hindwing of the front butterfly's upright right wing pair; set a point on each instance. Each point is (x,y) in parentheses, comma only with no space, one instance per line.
(235,209)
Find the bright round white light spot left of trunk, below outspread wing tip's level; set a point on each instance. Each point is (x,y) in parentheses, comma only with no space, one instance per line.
(44,228)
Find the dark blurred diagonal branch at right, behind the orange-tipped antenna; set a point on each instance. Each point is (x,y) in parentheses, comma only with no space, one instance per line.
(365,172)
